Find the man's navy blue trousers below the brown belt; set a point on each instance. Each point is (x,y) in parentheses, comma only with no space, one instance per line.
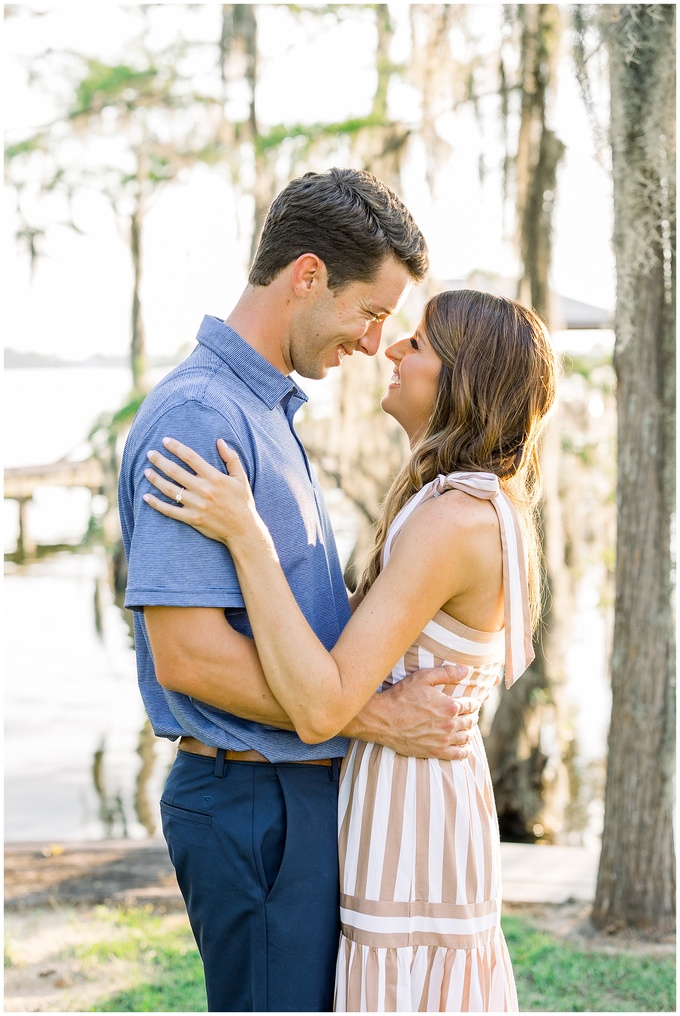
(256,852)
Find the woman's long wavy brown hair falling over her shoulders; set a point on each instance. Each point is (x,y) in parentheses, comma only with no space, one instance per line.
(497,388)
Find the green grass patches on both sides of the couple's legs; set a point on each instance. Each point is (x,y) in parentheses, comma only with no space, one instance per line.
(552,976)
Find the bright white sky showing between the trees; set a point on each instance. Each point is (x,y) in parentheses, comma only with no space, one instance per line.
(195,256)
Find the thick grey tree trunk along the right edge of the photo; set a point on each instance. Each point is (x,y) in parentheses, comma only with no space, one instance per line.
(637,877)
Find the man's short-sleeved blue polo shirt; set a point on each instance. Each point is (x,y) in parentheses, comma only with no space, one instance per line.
(227,390)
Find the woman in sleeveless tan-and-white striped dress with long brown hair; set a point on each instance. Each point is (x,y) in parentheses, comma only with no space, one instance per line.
(453,578)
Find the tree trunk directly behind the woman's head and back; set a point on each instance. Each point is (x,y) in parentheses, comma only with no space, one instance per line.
(525,745)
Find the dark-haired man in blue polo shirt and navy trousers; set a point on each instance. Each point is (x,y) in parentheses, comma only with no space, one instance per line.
(250,811)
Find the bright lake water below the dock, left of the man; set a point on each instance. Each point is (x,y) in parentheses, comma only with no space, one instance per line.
(80,760)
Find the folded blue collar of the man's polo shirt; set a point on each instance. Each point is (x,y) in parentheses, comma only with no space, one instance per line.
(258,373)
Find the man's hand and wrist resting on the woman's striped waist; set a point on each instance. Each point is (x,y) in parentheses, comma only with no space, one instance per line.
(415,718)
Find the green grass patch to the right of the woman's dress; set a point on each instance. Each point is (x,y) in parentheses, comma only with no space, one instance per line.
(557,977)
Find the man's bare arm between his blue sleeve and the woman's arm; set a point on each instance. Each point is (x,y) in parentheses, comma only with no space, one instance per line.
(199,654)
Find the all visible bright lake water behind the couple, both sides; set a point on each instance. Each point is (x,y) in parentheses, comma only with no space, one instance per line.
(81,763)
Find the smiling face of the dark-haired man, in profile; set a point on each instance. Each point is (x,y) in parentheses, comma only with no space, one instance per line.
(335,326)
